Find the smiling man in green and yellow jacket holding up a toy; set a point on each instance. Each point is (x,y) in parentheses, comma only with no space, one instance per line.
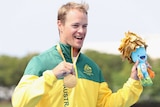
(42,83)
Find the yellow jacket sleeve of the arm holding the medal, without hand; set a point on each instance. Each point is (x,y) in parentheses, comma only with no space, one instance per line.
(31,88)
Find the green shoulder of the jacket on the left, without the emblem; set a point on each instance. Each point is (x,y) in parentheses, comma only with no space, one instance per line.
(44,61)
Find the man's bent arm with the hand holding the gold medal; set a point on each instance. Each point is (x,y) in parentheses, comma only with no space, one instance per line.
(33,86)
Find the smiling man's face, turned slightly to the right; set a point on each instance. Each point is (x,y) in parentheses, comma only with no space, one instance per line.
(73,31)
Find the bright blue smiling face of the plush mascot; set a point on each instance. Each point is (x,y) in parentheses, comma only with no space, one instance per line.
(139,54)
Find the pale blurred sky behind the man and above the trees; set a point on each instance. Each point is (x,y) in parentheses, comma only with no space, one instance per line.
(28,26)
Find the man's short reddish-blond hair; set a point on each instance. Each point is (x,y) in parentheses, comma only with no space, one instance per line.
(64,9)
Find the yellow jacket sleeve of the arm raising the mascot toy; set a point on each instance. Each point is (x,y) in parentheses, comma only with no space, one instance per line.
(124,97)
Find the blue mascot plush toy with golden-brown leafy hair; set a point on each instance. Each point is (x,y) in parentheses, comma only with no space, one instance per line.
(133,48)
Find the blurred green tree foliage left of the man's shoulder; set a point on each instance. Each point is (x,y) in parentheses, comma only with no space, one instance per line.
(11,69)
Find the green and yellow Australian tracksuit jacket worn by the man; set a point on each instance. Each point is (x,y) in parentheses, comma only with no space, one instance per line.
(39,87)
